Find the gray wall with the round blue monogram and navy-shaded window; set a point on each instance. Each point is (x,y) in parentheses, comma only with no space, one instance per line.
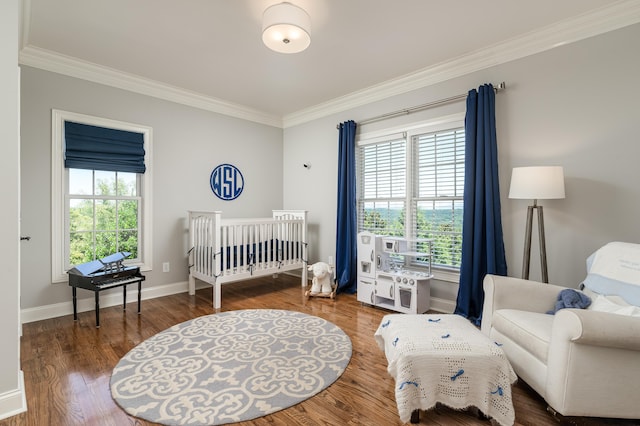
(187,144)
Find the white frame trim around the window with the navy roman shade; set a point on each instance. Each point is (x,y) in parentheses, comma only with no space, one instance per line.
(59,228)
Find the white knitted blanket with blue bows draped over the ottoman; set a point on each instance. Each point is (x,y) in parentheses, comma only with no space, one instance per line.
(444,358)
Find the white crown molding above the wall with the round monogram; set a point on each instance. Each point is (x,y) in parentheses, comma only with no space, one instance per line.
(51,61)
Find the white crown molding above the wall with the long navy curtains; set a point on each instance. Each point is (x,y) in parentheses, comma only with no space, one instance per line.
(609,18)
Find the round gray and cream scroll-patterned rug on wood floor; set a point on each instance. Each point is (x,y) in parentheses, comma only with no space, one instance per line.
(230,367)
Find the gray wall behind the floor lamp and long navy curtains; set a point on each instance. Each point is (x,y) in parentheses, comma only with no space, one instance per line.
(574,106)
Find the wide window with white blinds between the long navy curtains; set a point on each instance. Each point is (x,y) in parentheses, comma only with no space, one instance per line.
(411,184)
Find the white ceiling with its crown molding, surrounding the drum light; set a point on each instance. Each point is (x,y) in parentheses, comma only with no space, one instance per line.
(211,52)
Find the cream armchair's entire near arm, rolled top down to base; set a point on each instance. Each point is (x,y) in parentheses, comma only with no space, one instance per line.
(591,351)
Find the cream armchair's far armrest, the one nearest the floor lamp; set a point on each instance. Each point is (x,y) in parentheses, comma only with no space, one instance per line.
(515,293)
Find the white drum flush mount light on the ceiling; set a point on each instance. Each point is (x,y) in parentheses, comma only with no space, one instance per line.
(286,28)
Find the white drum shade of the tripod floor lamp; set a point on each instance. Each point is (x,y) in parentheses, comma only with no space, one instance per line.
(537,183)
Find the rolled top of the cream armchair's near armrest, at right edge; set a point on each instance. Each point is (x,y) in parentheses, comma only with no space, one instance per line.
(596,329)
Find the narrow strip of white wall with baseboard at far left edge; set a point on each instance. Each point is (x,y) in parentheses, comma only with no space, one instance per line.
(12,399)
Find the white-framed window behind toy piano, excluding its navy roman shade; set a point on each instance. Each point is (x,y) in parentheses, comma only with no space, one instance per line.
(98,212)
